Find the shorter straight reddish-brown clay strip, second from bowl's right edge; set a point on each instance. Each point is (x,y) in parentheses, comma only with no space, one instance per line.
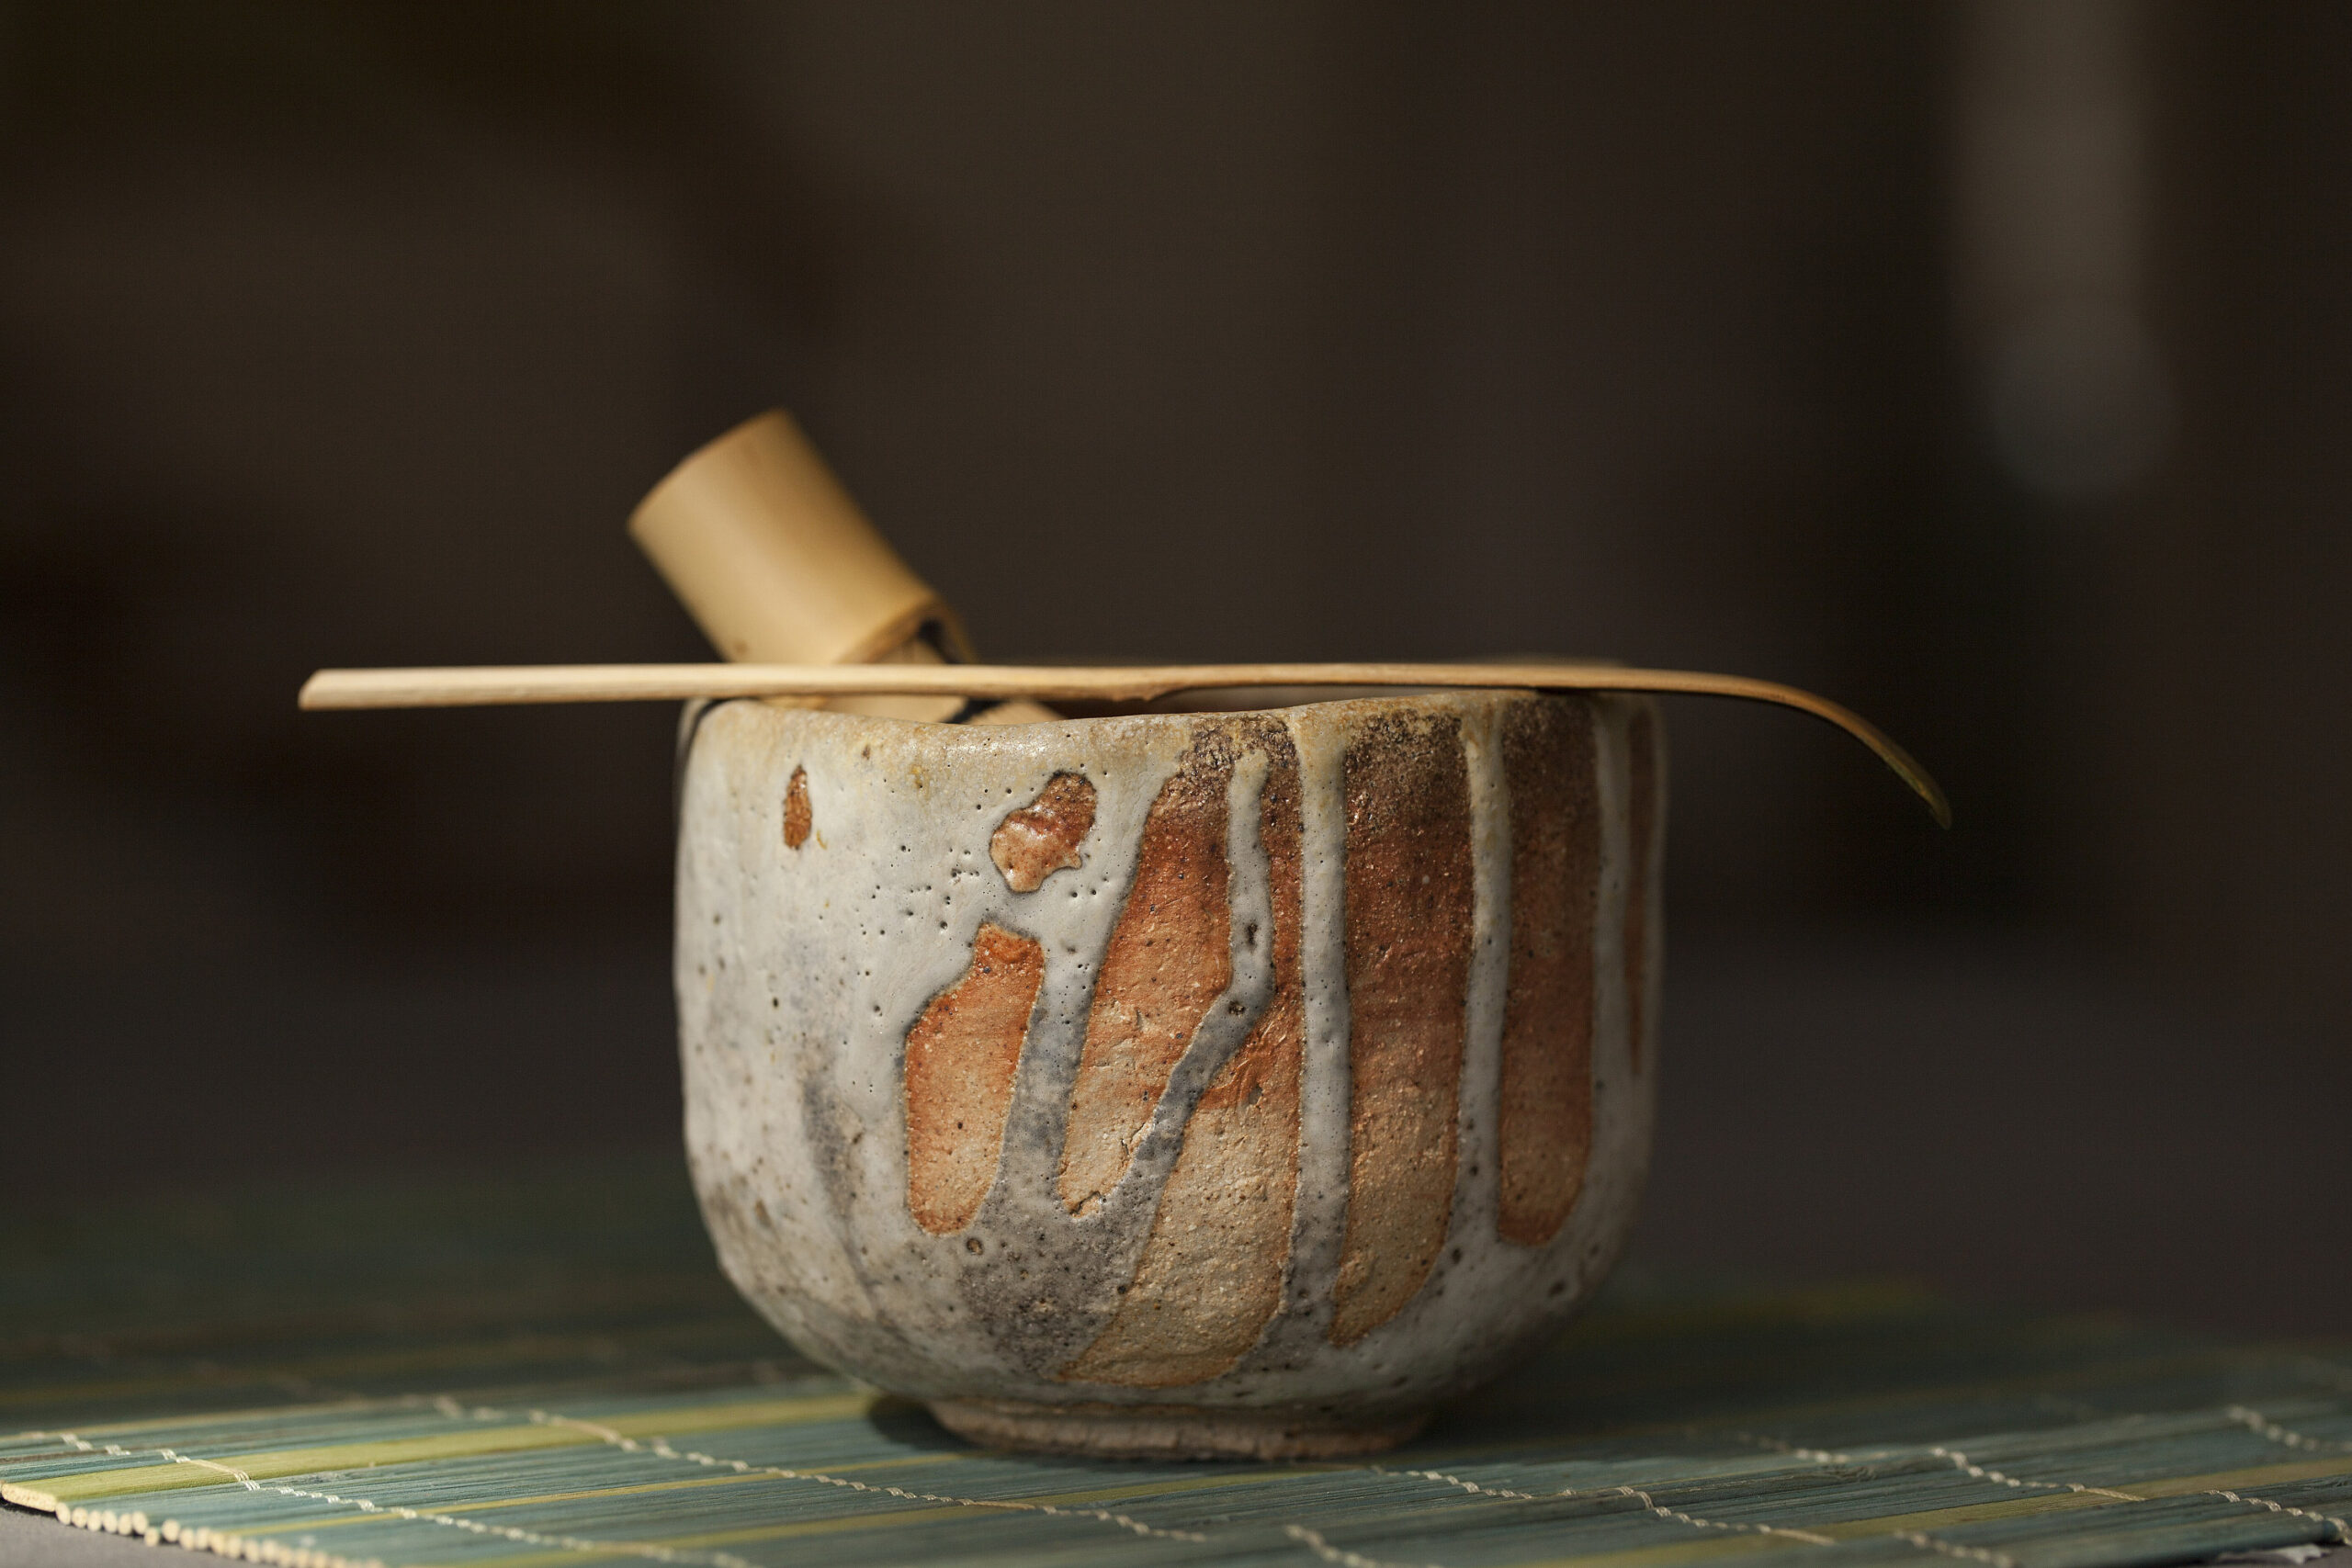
(1556,852)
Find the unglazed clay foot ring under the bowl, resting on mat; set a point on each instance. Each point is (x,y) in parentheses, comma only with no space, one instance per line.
(1170,1433)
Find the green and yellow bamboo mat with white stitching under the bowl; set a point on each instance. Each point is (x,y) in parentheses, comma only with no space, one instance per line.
(552,1372)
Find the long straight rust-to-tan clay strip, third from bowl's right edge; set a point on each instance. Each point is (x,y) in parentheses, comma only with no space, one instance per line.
(1408,981)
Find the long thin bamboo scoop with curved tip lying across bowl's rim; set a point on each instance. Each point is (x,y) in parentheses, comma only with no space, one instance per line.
(516,685)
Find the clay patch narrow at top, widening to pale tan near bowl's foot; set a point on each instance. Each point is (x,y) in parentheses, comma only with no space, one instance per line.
(1212,1271)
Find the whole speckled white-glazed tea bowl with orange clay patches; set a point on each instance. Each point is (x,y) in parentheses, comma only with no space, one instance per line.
(1184,1083)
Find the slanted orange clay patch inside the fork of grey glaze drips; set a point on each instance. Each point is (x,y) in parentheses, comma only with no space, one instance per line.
(1163,972)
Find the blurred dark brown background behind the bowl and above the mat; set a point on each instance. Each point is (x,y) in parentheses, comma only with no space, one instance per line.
(1984,366)
